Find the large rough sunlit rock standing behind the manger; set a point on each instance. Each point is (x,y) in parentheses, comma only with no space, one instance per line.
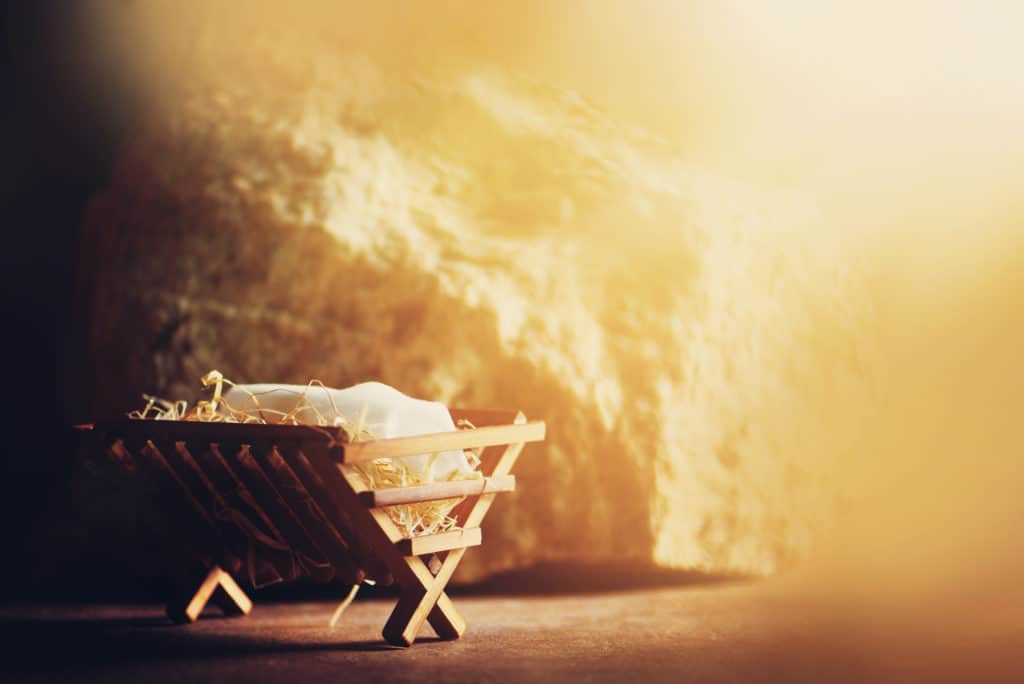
(487,242)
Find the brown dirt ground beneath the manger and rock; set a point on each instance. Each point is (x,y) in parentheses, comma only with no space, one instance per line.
(744,632)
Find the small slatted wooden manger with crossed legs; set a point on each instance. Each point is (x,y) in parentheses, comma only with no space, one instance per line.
(275,503)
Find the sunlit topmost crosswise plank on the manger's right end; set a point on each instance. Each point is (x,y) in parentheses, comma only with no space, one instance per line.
(362,452)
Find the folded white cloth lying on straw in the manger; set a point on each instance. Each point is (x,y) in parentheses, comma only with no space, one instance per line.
(386,413)
